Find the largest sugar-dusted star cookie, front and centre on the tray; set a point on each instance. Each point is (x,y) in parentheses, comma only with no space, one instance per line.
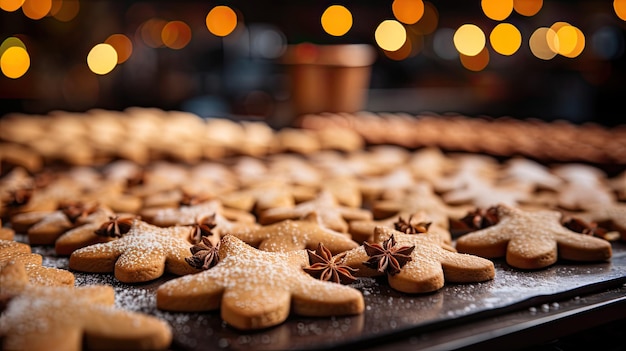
(255,289)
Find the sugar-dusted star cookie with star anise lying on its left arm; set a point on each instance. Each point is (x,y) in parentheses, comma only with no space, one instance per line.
(416,263)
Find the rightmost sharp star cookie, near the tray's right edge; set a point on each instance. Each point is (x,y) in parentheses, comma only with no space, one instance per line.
(532,240)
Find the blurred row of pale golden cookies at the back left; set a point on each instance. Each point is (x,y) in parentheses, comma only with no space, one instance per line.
(98,136)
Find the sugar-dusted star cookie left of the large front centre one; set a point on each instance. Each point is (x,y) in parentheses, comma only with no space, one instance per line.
(142,254)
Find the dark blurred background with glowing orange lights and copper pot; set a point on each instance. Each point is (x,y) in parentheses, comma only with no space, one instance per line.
(273,60)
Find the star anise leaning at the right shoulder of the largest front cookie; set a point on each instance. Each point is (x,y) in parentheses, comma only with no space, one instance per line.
(323,266)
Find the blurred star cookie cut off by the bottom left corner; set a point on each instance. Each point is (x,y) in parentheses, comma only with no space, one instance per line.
(66,318)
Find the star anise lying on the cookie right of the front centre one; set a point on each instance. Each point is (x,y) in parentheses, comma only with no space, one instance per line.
(387,257)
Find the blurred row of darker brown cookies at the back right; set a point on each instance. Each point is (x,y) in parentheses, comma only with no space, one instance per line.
(558,140)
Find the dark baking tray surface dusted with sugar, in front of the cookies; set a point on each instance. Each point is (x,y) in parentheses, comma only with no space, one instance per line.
(388,314)
